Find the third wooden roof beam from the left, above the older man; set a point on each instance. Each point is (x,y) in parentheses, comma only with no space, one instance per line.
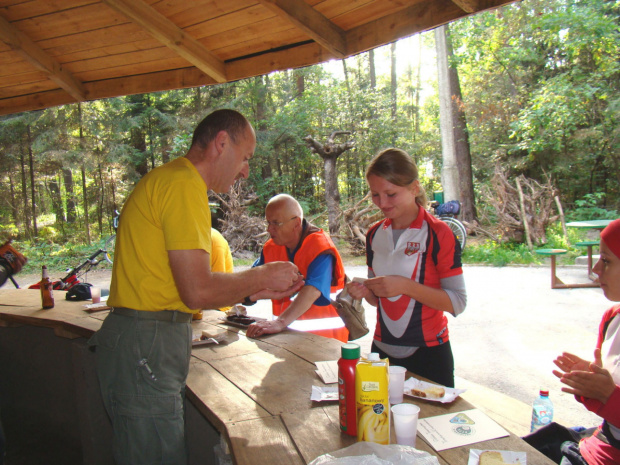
(313,23)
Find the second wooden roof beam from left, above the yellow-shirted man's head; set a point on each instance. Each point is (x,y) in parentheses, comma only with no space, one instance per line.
(171,36)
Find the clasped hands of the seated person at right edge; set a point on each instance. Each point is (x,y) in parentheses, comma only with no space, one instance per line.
(585,379)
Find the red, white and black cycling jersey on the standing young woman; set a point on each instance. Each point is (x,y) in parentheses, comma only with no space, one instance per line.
(426,252)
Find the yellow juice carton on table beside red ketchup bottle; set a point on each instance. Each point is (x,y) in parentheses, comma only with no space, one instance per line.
(372,401)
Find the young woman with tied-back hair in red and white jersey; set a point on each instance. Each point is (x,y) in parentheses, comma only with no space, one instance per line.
(414,270)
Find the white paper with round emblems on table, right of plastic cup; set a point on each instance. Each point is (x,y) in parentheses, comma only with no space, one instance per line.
(459,429)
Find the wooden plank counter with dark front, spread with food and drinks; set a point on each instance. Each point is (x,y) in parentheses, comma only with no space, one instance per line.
(255,393)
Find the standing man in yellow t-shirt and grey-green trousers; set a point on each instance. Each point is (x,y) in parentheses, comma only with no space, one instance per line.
(160,277)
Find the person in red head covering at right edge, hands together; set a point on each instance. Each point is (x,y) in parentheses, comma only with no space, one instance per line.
(596,384)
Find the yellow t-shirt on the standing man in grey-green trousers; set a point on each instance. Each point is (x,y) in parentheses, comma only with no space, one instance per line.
(167,210)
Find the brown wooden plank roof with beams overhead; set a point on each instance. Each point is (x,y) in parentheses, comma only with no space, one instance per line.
(55,52)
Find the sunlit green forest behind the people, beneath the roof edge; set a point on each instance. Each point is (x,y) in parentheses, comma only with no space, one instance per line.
(540,92)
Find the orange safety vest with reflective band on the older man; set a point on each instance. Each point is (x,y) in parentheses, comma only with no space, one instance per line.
(326,317)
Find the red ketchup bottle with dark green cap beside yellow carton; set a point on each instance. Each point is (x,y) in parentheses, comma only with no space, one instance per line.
(350,355)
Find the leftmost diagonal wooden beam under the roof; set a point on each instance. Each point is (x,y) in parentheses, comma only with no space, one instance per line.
(36,56)
